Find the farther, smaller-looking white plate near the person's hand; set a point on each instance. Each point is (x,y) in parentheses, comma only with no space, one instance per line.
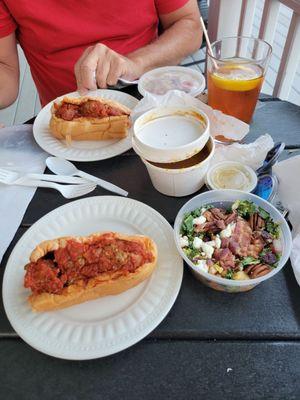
(83,150)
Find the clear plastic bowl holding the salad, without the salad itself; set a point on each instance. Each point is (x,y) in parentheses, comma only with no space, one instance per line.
(225,198)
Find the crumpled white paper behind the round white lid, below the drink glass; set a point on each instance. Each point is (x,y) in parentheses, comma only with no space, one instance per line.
(220,124)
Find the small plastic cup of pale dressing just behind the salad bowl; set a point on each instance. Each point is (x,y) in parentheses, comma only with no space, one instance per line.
(231,175)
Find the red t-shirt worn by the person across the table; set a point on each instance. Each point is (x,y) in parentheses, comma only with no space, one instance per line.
(54,33)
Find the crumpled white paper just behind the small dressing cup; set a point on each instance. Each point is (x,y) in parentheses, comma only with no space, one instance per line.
(252,154)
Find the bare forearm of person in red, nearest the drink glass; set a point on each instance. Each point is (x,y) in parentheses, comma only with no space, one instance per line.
(181,39)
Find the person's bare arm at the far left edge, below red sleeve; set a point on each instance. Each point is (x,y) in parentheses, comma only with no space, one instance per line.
(9,70)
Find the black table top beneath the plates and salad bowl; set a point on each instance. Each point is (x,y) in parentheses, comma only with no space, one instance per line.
(211,344)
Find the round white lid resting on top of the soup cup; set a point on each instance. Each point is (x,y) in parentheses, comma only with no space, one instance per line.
(170,134)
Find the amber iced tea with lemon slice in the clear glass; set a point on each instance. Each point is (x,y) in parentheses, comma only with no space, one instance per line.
(234,88)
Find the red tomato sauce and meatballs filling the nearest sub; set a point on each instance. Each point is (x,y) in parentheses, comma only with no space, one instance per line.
(78,261)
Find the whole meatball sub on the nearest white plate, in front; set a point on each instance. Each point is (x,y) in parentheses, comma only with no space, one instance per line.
(71,270)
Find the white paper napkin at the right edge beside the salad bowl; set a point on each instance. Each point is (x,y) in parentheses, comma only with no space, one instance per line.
(288,173)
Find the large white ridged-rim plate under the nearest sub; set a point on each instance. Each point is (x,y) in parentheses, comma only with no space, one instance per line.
(107,325)
